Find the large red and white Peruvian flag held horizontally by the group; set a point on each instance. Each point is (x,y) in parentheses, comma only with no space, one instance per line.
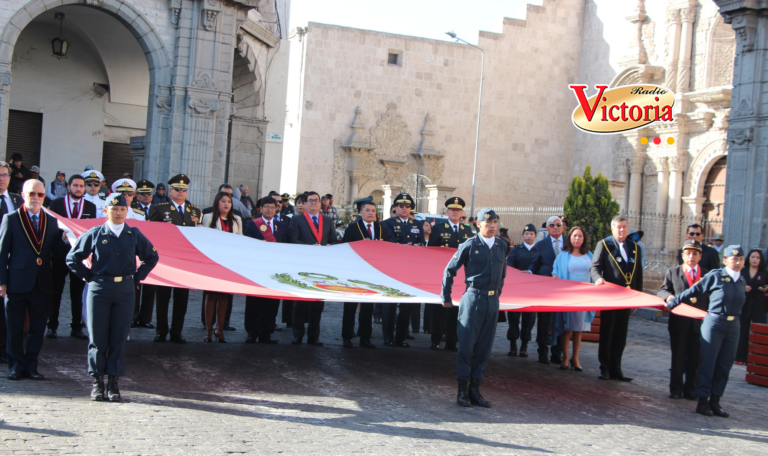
(207,259)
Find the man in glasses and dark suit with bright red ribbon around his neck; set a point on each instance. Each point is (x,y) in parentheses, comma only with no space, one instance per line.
(313,228)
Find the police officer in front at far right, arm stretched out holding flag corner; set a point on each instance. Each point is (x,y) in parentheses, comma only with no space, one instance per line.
(720,328)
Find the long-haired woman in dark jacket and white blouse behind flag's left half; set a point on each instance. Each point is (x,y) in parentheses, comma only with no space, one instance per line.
(222,218)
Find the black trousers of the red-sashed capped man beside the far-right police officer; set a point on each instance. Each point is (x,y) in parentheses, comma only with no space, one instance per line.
(685,357)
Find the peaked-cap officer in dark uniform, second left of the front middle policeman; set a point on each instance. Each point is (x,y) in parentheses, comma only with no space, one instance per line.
(401,230)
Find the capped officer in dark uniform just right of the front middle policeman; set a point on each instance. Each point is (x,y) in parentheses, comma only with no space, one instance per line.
(520,257)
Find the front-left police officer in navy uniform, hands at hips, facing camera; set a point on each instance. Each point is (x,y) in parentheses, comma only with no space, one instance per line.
(113,248)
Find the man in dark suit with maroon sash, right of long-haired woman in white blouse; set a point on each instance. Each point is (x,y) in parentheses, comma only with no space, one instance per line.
(260,313)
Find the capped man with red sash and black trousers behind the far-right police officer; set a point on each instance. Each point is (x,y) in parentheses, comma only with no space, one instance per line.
(684,332)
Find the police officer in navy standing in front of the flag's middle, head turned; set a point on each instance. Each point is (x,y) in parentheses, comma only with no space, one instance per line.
(485,269)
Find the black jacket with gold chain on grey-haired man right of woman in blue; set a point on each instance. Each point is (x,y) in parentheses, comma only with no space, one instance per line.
(604,266)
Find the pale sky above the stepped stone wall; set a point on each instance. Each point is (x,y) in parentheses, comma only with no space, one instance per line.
(423,18)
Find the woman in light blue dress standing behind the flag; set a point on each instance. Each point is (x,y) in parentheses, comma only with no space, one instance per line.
(573,263)
